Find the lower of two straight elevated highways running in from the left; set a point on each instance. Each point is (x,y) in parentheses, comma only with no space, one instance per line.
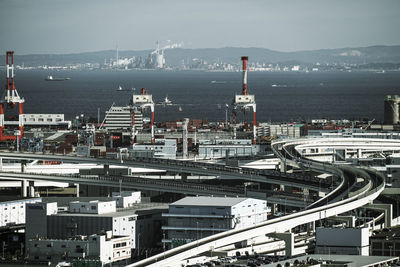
(174,186)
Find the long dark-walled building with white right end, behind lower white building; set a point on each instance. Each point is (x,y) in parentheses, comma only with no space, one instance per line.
(44,220)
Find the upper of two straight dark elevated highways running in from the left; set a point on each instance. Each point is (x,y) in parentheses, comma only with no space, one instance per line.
(180,166)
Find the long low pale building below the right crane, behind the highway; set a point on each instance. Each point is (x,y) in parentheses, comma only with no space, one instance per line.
(219,148)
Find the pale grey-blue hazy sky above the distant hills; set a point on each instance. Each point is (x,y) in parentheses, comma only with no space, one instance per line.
(74,26)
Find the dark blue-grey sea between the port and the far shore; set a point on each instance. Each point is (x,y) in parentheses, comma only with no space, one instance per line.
(280,96)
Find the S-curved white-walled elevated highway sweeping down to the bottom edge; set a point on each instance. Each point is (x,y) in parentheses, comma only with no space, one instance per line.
(346,197)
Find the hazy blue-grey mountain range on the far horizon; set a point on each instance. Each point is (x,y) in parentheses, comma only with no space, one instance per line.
(357,55)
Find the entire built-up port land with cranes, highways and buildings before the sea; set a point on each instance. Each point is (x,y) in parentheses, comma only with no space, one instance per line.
(178,193)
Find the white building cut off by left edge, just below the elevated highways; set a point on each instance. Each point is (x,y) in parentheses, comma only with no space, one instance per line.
(13,212)
